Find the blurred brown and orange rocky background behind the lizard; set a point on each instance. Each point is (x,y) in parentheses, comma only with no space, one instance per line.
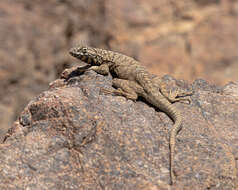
(188,39)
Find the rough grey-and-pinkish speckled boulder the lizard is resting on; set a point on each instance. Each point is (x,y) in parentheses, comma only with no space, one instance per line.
(74,137)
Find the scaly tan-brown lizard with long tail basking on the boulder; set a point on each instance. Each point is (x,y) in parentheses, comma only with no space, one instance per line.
(133,80)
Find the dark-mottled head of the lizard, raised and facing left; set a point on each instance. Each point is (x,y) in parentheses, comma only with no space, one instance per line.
(87,55)
